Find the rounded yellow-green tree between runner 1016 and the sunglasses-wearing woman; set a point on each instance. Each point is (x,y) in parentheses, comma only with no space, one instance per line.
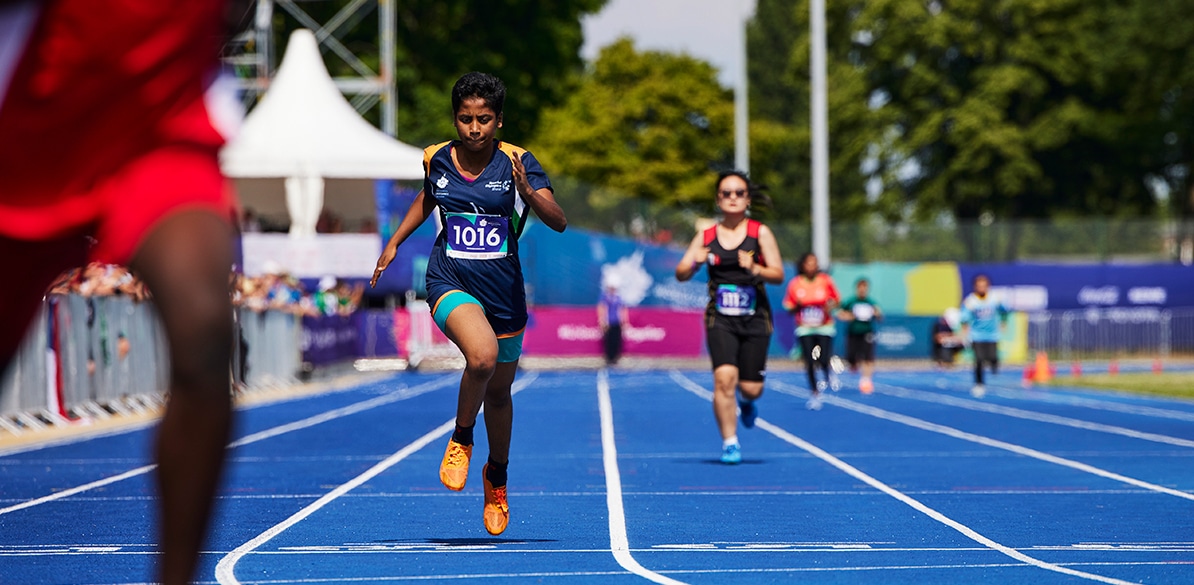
(645,126)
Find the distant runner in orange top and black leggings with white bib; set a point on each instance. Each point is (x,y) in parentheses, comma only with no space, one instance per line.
(813,298)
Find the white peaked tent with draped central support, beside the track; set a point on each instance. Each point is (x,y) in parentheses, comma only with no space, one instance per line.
(304,132)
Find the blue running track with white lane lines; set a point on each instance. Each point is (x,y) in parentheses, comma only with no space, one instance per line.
(616,478)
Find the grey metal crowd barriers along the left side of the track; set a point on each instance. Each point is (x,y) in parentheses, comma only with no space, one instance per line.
(94,358)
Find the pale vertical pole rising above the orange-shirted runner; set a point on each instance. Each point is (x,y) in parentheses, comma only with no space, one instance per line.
(820,134)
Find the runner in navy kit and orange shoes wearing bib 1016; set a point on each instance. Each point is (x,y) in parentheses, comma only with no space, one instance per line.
(482,188)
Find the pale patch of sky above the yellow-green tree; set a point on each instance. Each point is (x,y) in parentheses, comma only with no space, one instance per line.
(705,29)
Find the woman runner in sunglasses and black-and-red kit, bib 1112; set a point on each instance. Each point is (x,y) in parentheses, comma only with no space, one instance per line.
(741,256)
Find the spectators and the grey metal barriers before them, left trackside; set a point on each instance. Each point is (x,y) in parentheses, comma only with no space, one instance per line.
(97,348)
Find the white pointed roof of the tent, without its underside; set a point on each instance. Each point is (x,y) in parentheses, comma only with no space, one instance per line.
(305,127)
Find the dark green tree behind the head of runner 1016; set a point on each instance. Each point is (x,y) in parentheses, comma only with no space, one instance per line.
(534,47)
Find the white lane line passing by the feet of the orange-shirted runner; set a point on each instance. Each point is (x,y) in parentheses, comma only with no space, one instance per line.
(784,389)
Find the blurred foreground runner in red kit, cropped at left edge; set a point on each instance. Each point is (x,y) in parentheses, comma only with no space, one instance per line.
(107,152)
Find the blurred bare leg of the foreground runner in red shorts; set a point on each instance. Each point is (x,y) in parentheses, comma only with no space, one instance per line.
(186,262)
